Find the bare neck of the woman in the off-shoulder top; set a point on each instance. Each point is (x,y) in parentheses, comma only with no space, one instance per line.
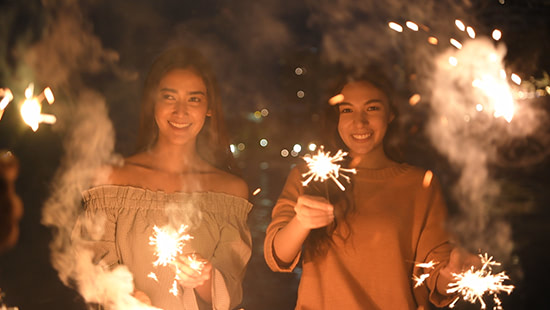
(175,158)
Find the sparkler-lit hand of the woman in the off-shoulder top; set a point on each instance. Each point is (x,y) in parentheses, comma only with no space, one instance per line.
(193,270)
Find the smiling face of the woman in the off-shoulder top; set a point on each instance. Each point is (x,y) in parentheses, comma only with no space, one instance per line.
(181,106)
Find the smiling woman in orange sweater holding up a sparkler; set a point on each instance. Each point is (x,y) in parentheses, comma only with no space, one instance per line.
(360,247)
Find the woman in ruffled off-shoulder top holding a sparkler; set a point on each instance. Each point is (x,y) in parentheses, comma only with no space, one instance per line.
(183,173)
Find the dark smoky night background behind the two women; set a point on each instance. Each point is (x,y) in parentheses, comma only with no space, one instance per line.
(105,47)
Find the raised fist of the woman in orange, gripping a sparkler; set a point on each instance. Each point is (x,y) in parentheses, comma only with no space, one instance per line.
(314,211)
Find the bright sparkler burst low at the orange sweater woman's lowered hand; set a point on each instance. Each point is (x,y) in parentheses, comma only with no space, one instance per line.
(474,284)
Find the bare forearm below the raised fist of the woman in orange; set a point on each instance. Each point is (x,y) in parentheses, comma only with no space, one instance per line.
(289,240)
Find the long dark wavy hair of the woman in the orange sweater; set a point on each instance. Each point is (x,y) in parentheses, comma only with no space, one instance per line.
(320,239)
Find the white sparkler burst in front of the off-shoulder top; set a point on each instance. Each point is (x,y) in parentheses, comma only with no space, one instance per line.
(168,244)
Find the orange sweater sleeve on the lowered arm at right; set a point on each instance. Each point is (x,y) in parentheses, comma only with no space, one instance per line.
(434,245)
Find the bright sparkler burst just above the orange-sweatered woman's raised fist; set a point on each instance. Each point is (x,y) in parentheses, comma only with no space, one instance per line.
(322,167)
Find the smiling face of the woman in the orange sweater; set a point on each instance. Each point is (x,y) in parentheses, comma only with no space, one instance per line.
(364,118)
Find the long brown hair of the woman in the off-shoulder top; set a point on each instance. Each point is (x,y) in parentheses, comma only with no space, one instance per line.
(212,140)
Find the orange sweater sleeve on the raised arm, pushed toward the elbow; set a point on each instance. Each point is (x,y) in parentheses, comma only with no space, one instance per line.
(282,213)
